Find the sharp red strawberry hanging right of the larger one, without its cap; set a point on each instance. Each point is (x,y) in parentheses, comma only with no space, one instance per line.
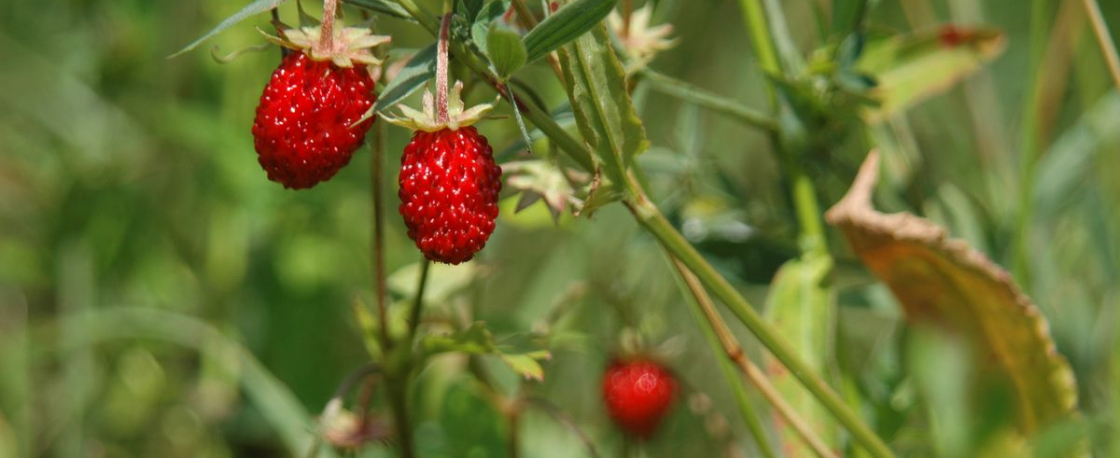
(449,189)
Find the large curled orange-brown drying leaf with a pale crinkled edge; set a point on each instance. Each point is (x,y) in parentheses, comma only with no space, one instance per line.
(946,284)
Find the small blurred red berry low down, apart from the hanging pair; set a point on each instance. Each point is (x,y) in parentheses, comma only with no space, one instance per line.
(639,394)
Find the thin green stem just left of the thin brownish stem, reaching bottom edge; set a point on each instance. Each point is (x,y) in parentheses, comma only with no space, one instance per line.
(725,358)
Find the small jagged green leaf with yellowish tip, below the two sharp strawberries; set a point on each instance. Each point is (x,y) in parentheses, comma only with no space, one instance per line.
(479,341)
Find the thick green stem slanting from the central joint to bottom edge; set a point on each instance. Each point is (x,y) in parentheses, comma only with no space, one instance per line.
(652,220)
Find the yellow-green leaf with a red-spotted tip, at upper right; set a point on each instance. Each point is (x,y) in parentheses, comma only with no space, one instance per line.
(914,68)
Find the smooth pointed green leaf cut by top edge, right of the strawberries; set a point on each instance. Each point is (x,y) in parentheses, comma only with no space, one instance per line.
(566,25)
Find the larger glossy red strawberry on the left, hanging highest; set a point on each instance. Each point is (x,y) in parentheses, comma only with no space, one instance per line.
(304,129)
